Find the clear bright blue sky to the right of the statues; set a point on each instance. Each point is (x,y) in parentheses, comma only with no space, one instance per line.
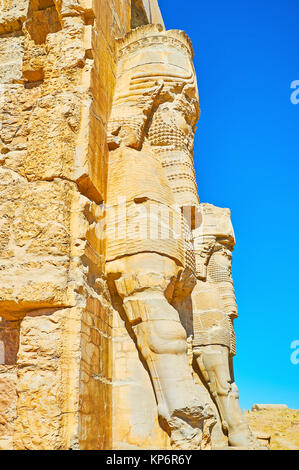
(246,158)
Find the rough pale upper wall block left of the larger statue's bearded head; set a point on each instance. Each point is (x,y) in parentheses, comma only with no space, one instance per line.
(59,127)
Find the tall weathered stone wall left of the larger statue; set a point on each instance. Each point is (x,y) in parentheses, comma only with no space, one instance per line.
(57,65)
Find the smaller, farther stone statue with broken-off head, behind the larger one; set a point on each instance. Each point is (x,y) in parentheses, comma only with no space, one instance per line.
(214,309)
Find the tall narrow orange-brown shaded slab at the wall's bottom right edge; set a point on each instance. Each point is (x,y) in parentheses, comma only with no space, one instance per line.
(96,377)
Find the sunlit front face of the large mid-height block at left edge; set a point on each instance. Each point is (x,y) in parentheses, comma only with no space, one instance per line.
(34,244)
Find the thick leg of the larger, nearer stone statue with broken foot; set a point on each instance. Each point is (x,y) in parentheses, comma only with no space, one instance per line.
(142,283)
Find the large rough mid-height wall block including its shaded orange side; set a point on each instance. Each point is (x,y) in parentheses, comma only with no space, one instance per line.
(44,236)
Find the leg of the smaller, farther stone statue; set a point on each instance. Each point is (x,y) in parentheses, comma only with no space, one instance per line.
(214,362)
